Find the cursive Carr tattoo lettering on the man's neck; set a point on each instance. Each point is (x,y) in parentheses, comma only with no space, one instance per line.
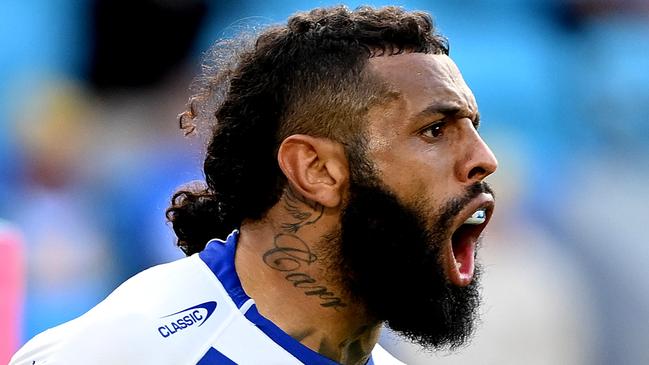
(288,255)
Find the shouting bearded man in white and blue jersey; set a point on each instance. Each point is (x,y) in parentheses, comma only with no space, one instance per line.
(346,170)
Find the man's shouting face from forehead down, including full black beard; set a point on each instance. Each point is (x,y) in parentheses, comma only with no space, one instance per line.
(414,183)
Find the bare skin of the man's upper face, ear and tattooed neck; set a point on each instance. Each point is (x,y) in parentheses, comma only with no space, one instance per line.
(424,144)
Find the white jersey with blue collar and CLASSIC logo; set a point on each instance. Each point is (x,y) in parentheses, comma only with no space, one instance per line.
(191,311)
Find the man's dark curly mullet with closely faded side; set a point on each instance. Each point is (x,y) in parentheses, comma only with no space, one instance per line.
(306,77)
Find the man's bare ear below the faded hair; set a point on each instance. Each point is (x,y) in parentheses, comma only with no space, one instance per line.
(316,167)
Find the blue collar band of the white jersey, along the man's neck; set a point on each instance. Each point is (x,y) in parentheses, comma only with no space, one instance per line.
(219,257)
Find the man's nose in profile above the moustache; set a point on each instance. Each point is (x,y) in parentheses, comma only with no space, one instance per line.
(478,162)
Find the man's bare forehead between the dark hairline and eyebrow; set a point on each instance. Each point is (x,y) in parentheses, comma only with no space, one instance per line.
(424,79)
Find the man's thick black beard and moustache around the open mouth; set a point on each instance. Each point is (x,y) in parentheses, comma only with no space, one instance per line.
(390,254)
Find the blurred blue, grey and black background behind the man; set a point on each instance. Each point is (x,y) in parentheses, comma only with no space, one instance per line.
(90,153)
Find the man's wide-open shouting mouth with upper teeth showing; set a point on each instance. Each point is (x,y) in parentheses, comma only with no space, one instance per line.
(460,258)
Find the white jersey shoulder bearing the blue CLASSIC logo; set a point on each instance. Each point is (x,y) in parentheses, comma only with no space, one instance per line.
(157,315)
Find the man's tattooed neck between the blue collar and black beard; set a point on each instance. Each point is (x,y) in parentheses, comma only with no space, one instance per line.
(283,266)
